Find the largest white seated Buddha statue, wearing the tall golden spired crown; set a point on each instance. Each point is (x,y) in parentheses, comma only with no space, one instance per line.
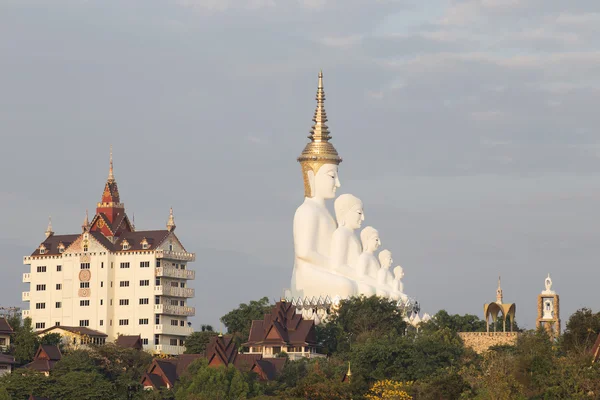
(313,275)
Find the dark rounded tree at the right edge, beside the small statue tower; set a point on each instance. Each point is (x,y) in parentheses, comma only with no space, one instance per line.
(581,331)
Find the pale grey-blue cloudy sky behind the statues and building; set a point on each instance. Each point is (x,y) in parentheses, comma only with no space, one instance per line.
(468,128)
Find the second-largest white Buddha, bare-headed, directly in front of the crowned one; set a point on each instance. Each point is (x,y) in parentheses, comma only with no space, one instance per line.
(345,246)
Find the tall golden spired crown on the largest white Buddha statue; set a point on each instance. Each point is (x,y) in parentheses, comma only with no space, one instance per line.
(319,150)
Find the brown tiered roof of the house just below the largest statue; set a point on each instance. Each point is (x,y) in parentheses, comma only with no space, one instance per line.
(283,326)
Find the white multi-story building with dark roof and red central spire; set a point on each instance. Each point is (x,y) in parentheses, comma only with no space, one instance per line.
(114,279)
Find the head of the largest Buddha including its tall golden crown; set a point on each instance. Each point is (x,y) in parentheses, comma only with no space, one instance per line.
(319,159)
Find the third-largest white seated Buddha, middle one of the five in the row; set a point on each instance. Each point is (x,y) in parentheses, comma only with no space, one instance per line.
(367,264)
